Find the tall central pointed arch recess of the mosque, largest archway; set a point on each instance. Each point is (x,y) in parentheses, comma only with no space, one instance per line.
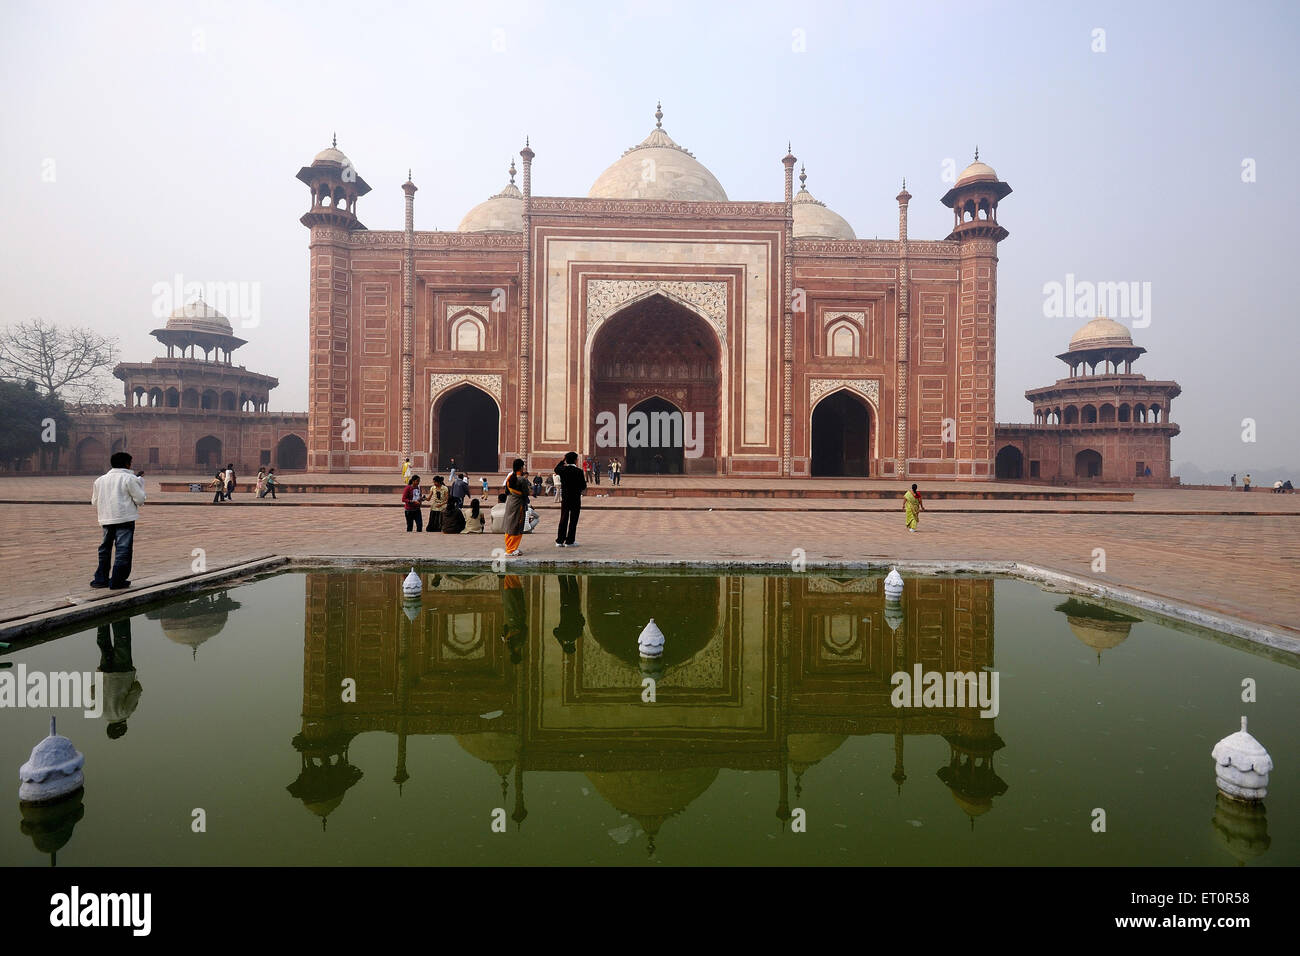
(660,358)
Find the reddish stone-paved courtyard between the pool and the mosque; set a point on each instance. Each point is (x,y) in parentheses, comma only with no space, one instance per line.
(1227,552)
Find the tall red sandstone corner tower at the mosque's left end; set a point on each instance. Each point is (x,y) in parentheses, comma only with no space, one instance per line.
(336,188)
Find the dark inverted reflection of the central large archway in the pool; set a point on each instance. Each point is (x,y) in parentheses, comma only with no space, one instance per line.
(686,609)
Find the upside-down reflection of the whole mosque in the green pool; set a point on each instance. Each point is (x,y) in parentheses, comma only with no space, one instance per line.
(759,674)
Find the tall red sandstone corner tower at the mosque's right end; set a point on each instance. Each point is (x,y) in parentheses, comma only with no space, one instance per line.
(974,204)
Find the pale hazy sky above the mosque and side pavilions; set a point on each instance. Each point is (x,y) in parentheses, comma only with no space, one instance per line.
(174,132)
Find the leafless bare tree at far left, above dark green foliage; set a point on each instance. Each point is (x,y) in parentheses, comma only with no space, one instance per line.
(68,364)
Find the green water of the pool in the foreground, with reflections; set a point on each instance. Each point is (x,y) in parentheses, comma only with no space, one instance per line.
(508,720)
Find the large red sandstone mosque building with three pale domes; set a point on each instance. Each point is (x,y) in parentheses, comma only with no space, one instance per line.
(803,349)
